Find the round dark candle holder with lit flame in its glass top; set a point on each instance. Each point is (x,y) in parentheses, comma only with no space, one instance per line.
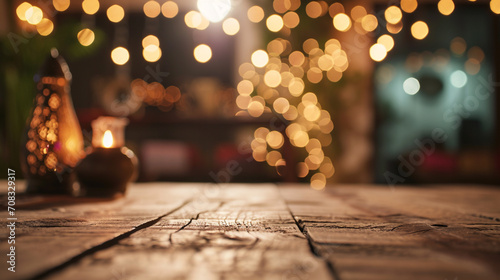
(109,166)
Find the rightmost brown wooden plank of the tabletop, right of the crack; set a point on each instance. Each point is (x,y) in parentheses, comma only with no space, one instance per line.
(406,233)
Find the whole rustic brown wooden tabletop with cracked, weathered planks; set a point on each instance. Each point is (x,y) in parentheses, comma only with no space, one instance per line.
(259,231)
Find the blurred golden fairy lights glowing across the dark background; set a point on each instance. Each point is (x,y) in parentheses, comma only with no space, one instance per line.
(277,78)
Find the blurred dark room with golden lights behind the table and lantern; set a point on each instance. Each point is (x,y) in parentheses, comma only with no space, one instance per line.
(373,91)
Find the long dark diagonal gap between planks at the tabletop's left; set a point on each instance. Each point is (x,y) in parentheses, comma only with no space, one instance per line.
(107,244)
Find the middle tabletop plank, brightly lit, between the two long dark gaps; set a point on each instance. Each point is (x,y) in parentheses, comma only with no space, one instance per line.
(240,233)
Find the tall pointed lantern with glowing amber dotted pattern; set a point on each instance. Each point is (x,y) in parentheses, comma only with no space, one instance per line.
(53,142)
